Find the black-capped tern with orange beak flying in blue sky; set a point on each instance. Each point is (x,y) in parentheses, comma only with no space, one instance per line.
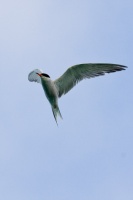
(54,89)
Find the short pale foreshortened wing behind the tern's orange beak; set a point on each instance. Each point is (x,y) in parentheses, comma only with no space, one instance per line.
(34,77)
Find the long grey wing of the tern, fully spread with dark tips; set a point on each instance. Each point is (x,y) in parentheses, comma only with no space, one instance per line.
(79,72)
